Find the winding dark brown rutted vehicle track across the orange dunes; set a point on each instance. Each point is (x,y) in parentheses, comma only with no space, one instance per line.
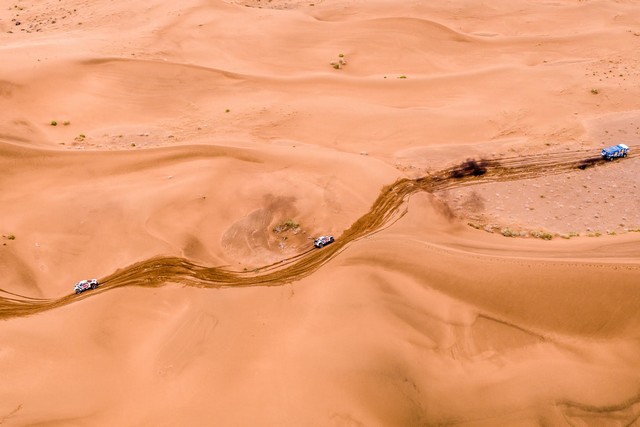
(158,271)
